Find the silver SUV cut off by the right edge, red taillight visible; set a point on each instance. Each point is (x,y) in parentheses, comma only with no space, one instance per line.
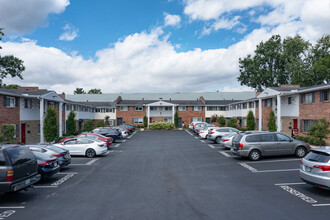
(315,167)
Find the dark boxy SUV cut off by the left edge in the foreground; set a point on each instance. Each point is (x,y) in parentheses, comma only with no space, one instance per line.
(18,168)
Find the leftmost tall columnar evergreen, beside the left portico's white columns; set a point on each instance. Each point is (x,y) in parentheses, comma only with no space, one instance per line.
(50,125)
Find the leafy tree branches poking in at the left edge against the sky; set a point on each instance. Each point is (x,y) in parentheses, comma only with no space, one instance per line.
(10,65)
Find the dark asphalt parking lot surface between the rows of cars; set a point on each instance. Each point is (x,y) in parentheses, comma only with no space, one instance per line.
(171,175)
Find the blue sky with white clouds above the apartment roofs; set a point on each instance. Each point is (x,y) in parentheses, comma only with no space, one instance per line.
(160,46)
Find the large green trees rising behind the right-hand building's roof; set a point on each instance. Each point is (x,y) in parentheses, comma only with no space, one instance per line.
(291,61)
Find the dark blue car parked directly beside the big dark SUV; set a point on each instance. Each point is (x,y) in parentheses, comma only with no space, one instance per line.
(47,165)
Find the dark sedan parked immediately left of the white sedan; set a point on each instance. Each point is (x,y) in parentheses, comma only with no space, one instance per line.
(64,157)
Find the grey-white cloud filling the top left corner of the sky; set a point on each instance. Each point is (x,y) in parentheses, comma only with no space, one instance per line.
(21,16)
